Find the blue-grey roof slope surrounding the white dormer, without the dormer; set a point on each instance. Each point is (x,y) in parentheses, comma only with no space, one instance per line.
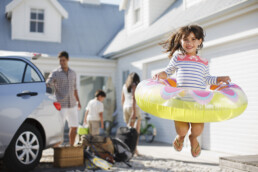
(85,33)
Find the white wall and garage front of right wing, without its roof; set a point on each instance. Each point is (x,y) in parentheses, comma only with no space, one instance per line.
(231,46)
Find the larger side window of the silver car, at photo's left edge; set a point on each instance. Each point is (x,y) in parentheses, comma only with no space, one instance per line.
(11,71)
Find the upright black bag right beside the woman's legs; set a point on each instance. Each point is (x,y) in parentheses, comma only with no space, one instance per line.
(129,136)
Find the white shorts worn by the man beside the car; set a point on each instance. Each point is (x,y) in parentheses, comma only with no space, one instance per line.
(71,115)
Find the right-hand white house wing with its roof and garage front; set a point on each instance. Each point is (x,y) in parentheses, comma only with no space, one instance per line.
(231,46)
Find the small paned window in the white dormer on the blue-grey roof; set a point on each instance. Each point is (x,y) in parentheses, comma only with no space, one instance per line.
(37,20)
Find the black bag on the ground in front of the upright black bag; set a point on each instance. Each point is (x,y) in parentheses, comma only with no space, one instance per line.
(122,152)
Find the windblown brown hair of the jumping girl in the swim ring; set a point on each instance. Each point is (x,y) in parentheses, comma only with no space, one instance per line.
(173,43)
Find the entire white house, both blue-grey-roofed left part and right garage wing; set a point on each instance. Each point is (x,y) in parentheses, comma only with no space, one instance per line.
(105,45)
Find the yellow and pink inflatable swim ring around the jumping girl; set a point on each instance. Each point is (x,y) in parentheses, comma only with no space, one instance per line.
(163,99)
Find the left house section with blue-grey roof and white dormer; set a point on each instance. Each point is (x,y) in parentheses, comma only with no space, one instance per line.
(82,28)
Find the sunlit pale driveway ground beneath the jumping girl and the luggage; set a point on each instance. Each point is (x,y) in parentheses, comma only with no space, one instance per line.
(156,156)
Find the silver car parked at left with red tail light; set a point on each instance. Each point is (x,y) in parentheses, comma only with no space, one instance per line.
(29,117)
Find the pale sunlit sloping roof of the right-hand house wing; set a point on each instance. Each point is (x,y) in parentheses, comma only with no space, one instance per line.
(173,18)
